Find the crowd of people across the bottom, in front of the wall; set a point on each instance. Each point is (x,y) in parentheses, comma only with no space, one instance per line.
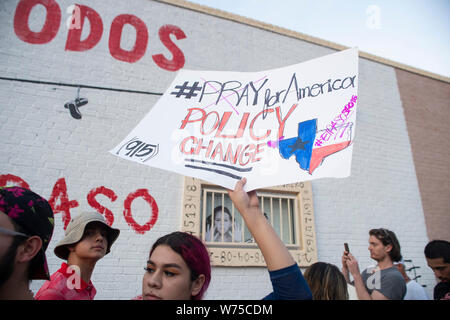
(178,265)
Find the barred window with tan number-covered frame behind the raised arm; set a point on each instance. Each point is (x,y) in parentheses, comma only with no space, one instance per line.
(209,214)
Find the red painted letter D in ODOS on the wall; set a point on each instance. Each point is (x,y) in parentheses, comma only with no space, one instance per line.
(74,42)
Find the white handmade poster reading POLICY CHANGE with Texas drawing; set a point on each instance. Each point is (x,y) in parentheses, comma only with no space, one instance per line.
(274,127)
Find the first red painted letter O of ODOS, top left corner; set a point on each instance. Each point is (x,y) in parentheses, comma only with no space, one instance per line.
(51,25)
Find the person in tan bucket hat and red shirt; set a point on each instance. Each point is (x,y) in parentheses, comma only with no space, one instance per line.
(88,238)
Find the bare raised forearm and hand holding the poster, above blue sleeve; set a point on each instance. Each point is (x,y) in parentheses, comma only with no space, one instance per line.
(273,249)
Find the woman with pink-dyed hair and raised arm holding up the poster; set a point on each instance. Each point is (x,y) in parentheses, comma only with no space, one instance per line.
(179,268)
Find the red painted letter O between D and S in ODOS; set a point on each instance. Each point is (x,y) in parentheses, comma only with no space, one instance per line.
(115,35)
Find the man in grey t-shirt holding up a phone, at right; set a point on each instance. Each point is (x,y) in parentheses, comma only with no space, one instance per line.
(384,282)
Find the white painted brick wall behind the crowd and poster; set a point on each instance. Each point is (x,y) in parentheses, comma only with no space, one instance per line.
(41,143)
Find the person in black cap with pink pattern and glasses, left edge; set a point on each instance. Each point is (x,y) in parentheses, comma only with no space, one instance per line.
(26,228)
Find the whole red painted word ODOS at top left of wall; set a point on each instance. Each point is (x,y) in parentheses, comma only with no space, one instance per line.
(74,43)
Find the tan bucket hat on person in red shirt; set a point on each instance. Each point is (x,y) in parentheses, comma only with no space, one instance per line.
(75,230)
